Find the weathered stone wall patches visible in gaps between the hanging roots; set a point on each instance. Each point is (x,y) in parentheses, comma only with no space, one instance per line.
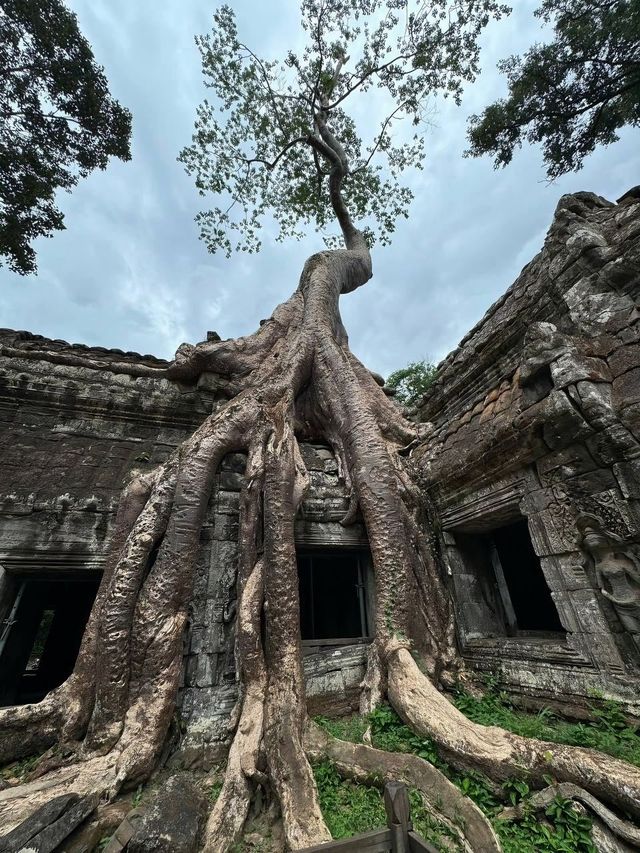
(333,674)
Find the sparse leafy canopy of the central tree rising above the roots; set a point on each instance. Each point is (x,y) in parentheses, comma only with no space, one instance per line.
(257,144)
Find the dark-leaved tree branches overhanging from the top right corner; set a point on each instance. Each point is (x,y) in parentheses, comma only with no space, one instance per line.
(571,94)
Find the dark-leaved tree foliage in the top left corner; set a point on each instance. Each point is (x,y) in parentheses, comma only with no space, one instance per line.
(58,121)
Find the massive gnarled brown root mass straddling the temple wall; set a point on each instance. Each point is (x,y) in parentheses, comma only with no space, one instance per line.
(293,379)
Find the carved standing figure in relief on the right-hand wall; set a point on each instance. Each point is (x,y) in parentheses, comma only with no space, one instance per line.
(617,570)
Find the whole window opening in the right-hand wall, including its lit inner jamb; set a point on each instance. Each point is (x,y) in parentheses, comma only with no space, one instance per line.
(505,592)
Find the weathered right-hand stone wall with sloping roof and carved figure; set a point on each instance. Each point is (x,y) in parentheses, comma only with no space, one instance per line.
(537,414)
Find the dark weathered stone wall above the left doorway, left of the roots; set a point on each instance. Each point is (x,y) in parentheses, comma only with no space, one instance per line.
(68,436)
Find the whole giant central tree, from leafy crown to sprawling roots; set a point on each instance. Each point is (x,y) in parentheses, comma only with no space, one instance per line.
(289,149)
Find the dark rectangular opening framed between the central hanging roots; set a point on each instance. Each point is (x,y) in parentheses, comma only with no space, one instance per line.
(332,594)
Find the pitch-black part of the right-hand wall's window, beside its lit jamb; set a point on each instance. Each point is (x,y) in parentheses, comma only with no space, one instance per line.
(525,595)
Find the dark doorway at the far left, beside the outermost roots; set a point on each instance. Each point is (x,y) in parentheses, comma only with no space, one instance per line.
(40,639)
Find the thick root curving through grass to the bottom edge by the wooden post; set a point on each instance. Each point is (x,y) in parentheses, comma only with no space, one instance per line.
(366,764)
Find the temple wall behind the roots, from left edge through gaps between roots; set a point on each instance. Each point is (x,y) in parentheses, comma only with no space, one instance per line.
(69,434)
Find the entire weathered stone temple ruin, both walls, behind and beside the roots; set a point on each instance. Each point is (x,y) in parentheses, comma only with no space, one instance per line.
(531,472)
